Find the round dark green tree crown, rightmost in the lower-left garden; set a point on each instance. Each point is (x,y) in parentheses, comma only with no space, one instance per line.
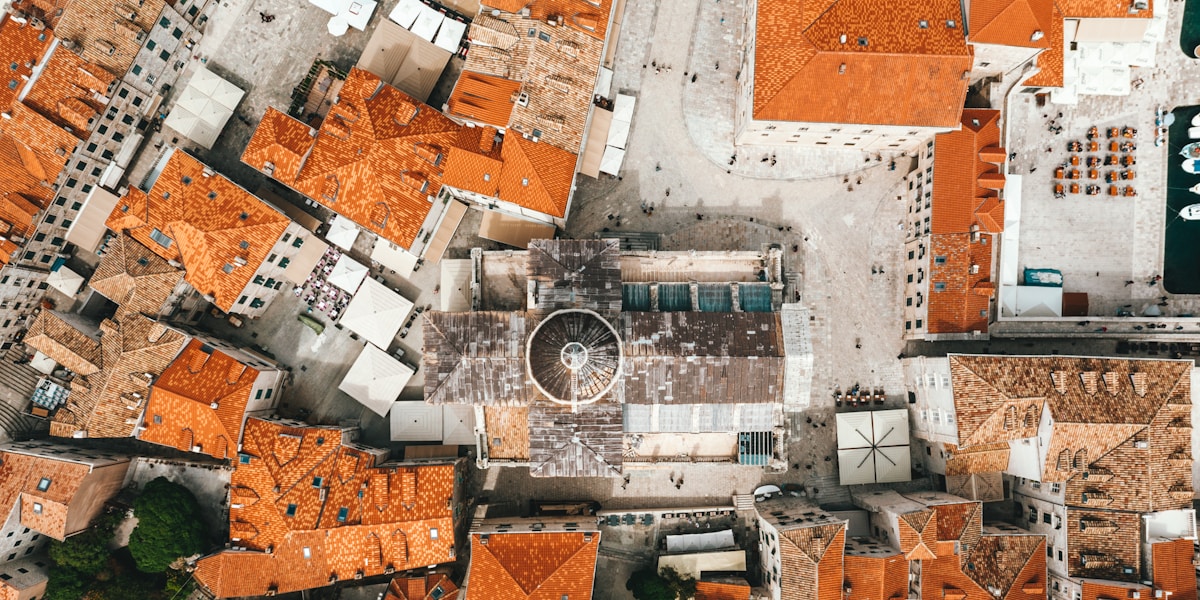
(169,526)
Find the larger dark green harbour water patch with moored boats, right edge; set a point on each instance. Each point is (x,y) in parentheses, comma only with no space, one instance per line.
(1181,248)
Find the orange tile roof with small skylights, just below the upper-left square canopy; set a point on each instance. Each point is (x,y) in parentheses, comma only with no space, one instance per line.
(220,232)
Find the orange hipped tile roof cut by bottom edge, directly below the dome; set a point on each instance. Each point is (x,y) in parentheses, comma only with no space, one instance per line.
(538,566)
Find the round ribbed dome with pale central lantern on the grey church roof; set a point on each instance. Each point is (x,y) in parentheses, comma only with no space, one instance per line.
(574,357)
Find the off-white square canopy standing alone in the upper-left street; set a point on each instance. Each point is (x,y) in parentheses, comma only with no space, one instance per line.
(205,107)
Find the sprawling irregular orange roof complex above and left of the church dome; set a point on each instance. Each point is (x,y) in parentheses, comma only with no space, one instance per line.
(381,157)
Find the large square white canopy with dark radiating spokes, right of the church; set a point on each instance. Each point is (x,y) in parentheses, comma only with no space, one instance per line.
(874,447)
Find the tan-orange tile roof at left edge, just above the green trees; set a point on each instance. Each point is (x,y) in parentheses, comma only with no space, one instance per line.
(20,478)
